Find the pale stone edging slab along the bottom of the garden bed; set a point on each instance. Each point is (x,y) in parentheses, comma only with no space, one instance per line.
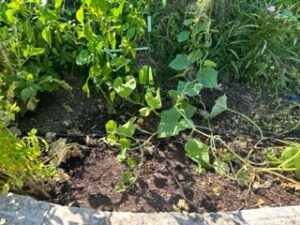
(23,210)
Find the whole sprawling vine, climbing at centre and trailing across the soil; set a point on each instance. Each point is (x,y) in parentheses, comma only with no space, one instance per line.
(179,118)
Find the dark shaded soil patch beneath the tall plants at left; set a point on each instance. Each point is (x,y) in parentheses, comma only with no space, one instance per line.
(67,112)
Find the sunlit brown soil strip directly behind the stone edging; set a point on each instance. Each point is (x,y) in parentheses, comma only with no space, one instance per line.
(165,178)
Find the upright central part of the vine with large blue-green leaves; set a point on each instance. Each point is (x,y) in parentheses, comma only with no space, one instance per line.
(195,38)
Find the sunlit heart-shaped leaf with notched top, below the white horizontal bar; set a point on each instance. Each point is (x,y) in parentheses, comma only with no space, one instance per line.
(124,89)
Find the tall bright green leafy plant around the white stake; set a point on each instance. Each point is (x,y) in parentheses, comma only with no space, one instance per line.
(108,33)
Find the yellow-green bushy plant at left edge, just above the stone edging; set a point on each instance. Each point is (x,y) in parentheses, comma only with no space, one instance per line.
(21,165)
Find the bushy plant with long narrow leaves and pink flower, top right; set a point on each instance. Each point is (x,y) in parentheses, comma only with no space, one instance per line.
(251,45)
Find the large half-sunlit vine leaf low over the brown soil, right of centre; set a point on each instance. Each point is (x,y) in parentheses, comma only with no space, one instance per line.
(198,152)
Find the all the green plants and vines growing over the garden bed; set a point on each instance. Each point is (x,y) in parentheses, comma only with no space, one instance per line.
(199,43)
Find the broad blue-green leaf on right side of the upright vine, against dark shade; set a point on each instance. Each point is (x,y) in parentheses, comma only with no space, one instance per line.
(208,77)
